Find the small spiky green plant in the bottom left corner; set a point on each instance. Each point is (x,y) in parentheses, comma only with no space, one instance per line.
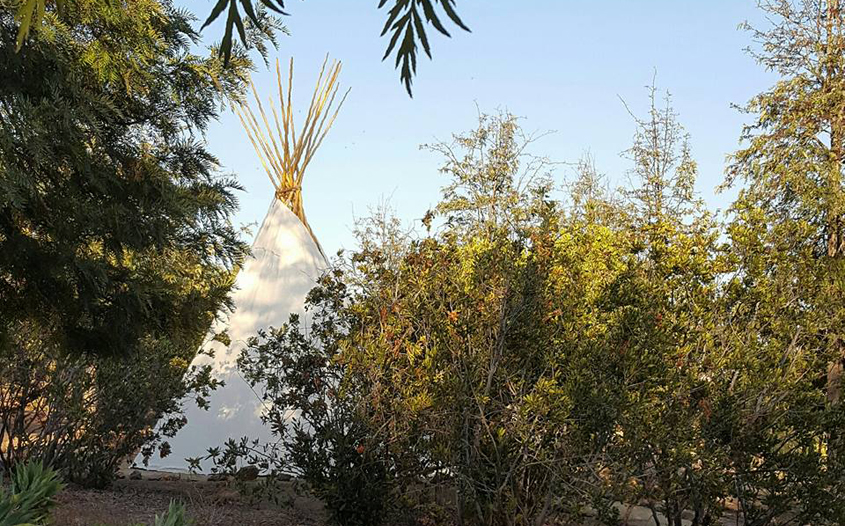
(29,499)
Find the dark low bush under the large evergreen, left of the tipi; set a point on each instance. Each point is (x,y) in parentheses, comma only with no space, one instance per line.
(93,412)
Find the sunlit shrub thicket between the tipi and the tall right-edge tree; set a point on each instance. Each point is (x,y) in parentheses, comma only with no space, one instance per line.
(538,359)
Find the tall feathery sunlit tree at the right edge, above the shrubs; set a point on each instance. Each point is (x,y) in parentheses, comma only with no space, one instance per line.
(788,225)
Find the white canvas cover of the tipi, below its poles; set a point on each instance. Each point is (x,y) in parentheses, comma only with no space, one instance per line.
(272,284)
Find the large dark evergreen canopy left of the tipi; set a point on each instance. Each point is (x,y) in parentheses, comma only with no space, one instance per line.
(111,210)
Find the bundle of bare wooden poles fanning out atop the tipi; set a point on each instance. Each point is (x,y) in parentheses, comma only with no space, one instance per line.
(283,152)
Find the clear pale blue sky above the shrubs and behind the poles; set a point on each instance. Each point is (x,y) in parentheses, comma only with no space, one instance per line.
(560,64)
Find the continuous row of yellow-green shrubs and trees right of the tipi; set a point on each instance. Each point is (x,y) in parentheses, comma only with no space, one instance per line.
(546,358)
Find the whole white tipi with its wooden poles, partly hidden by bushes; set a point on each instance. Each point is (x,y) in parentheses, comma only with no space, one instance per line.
(286,260)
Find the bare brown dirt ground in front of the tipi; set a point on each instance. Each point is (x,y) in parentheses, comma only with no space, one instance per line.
(131,502)
